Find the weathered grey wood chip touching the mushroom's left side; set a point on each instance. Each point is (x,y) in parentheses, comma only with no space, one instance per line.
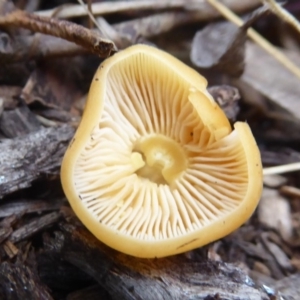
(23,159)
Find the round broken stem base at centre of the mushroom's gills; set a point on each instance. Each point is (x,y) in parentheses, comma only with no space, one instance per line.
(159,159)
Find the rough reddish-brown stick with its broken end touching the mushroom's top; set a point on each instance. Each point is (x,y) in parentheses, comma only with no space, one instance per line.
(60,28)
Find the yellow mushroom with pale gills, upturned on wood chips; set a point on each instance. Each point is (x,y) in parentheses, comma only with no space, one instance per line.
(155,168)
